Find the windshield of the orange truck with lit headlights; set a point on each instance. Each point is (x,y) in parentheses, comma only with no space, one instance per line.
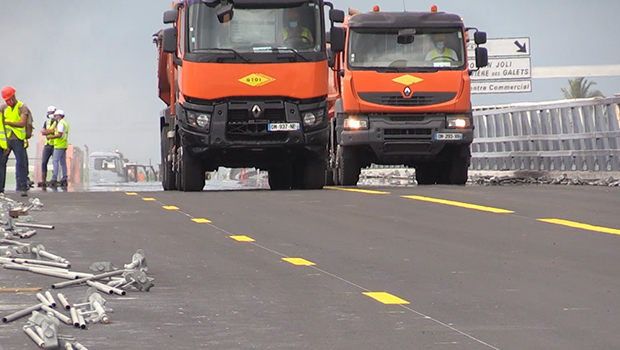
(431,49)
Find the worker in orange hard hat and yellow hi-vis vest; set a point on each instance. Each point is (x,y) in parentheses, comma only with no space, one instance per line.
(15,115)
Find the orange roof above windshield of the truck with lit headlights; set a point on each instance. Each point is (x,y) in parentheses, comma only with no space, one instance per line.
(404,20)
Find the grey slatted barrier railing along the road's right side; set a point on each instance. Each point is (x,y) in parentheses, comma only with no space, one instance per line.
(569,135)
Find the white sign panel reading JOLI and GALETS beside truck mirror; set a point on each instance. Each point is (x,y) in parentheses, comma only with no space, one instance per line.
(509,68)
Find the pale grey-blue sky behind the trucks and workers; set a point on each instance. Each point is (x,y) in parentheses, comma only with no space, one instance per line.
(95,59)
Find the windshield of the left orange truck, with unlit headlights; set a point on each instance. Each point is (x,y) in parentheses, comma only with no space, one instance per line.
(256,30)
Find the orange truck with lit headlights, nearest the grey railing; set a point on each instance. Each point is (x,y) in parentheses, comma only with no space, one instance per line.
(403,95)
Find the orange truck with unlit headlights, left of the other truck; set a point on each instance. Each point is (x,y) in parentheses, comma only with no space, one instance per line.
(245,83)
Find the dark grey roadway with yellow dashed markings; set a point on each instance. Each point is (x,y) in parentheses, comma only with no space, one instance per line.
(365,270)
